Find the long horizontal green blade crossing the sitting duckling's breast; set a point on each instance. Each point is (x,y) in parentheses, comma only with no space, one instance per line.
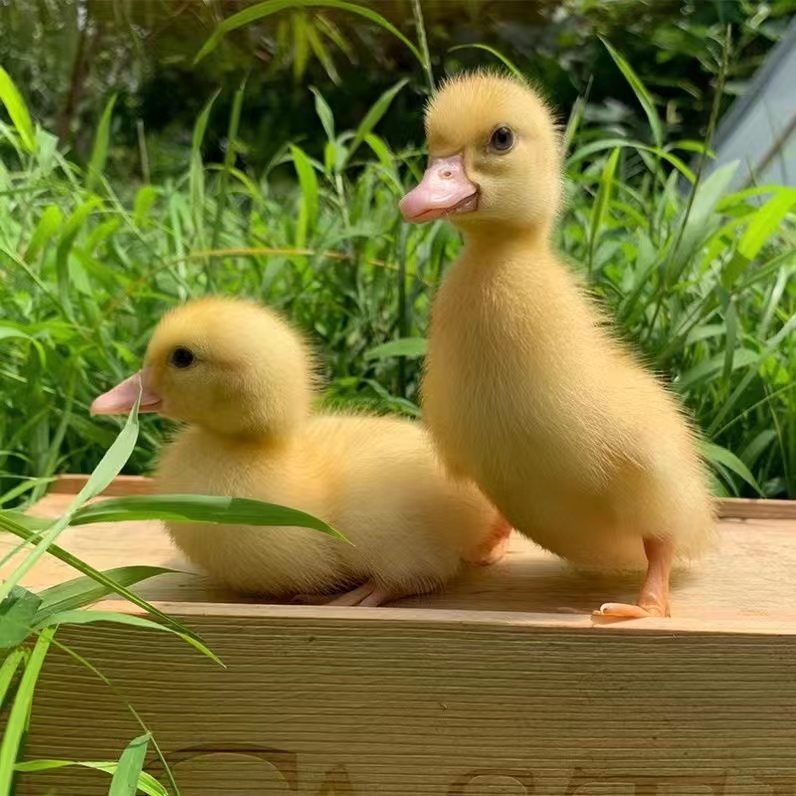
(199,508)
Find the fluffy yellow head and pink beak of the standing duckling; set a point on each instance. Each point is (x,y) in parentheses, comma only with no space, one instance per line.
(494,157)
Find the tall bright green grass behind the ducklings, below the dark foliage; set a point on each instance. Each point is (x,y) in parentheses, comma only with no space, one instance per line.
(700,284)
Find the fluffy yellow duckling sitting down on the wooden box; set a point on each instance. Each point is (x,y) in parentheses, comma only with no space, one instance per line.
(242,381)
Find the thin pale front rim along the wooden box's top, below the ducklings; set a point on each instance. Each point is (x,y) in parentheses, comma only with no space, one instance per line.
(450,619)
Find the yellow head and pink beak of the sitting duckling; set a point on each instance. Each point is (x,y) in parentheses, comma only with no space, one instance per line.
(230,366)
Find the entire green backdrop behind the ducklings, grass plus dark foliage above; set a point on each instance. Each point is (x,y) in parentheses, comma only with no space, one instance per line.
(134,177)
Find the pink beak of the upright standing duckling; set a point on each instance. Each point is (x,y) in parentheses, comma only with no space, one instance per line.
(443,190)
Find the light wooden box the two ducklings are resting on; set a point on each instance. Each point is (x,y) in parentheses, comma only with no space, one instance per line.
(502,684)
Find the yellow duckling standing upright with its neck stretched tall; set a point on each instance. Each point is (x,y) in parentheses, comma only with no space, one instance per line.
(525,389)
